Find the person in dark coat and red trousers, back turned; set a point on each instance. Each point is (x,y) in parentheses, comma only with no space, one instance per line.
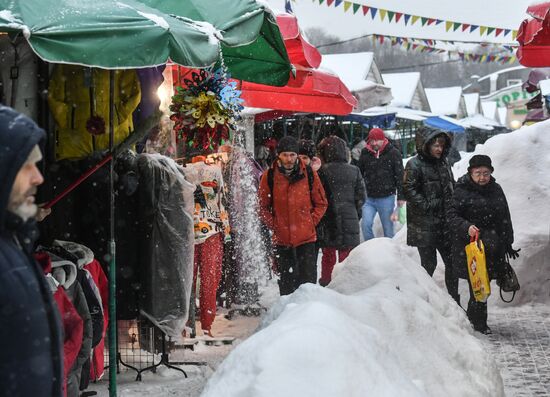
(345,193)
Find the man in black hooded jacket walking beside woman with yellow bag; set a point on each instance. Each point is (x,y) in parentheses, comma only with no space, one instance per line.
(428,187)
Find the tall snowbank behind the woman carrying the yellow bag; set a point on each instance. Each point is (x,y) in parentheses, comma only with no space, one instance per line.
(522,162)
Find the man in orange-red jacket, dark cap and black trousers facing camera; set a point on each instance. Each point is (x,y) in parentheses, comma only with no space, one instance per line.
(292,202)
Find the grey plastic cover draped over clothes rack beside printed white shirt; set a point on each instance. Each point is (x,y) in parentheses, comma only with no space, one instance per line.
(166,243)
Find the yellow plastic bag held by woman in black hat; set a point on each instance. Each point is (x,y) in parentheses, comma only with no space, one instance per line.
(477,270)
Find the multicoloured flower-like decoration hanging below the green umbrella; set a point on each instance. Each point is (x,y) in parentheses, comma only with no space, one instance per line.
(205,109)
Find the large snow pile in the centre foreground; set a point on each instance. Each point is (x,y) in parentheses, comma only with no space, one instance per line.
(383,328)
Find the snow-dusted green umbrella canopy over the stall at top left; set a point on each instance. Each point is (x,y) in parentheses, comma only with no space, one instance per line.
(140,33)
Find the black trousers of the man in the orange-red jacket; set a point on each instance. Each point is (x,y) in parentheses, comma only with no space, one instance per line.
(297,266)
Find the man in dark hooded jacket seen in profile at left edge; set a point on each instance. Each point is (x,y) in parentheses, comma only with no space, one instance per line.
(30,328)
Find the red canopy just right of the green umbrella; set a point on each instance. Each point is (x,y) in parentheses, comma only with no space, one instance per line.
(311,90)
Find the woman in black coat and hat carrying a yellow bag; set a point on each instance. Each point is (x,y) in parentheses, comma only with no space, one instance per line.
(479,207)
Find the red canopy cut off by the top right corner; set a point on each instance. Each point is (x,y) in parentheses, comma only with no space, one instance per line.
(534,37)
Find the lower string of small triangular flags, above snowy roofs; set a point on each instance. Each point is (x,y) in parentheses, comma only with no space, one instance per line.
(428,46)
